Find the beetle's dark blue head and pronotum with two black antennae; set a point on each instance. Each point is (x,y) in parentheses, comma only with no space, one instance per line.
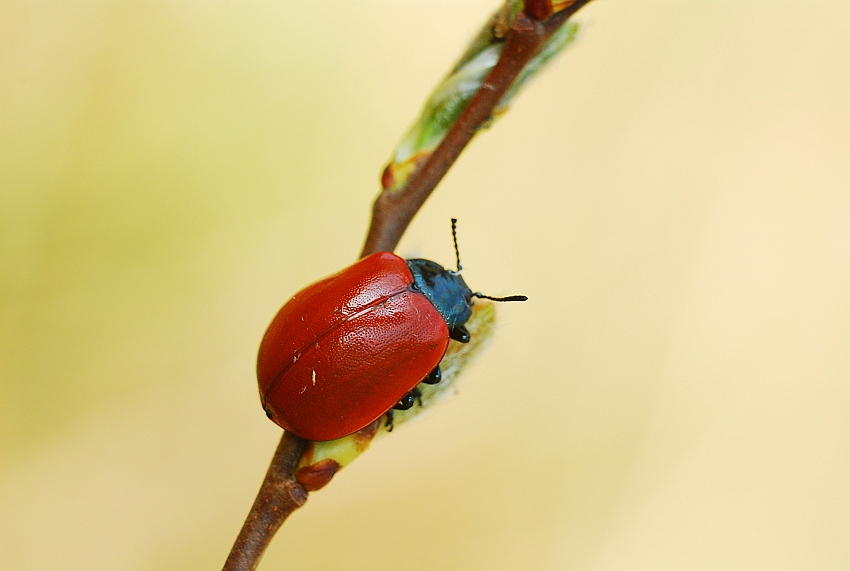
(446,288)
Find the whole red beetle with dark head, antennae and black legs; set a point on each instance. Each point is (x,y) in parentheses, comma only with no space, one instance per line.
(353,346)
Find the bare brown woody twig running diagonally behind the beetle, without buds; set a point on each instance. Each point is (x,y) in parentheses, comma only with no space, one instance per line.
(392,212)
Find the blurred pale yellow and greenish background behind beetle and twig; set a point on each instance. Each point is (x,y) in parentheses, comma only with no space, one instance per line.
(672,195)
